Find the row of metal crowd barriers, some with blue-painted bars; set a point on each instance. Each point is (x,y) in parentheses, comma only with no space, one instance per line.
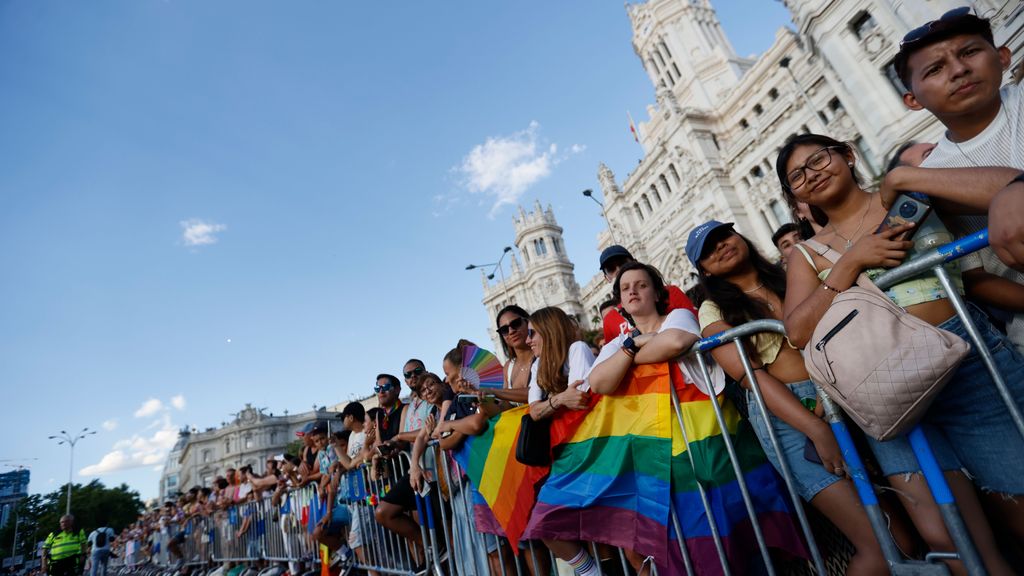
(260,532)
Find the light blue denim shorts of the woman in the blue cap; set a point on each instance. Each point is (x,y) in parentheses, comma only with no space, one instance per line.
(809,478)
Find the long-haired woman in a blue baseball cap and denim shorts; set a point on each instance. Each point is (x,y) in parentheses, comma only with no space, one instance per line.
(742,285)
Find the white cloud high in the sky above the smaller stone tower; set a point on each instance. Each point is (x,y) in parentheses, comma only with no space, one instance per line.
(504,168)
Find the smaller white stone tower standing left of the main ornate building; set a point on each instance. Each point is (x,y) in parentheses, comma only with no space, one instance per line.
(544,278)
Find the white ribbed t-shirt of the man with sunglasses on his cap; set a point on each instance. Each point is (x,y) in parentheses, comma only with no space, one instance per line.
(1001,144)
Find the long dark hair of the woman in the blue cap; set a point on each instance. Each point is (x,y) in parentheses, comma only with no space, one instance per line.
(738,307)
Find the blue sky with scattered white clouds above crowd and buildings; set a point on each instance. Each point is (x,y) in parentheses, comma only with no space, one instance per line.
(205,204)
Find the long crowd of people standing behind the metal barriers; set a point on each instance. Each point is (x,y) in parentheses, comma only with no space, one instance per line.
(972,178)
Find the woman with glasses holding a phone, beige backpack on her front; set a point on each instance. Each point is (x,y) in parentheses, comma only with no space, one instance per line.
(968,415)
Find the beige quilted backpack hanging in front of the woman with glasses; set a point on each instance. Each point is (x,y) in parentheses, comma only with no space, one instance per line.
(882,365)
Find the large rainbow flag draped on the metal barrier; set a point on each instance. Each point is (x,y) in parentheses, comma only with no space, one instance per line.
(618,466)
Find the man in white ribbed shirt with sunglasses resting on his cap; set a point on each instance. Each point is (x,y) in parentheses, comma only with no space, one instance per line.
(953,68)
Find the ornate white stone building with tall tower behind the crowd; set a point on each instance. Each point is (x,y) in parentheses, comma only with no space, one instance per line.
(711,140)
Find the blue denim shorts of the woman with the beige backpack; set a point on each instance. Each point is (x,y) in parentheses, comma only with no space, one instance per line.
(969,421)
